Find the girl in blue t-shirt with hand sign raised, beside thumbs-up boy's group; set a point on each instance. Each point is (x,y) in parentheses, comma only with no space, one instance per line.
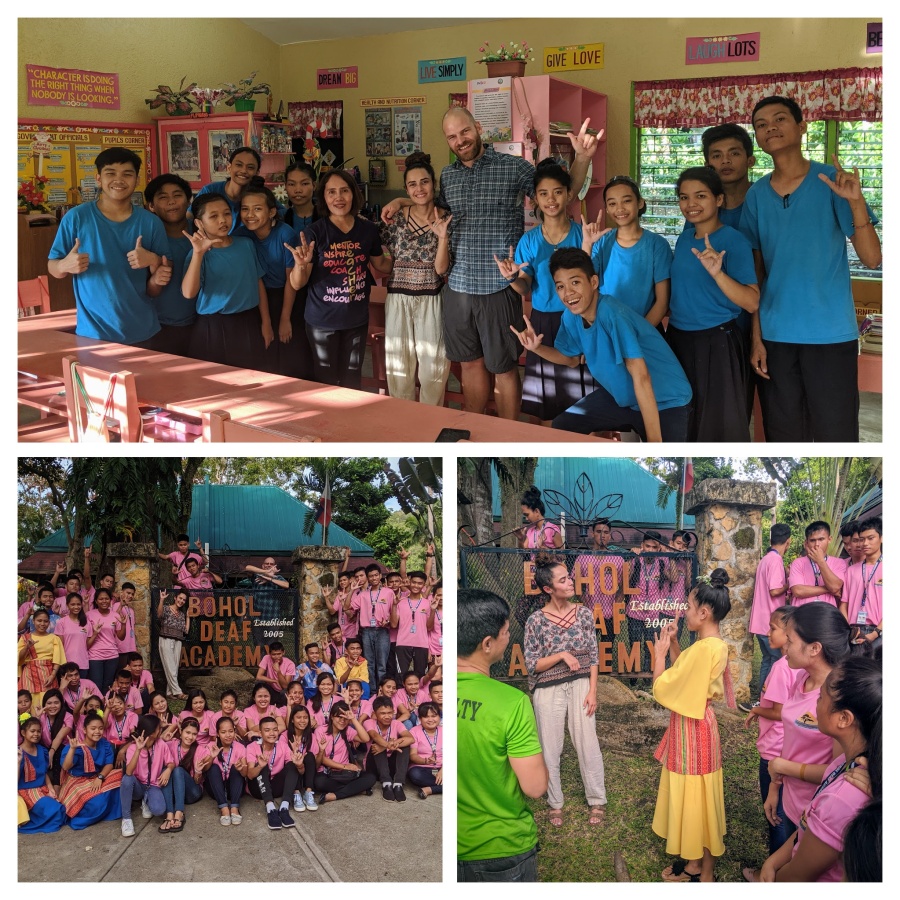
(224,275)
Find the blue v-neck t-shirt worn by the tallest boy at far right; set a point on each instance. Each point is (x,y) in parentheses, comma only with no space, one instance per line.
(806,297)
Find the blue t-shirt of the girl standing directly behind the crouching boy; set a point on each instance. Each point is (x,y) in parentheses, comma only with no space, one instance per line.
(630,274)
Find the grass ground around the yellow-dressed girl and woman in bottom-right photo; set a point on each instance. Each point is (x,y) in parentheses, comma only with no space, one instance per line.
(629,734)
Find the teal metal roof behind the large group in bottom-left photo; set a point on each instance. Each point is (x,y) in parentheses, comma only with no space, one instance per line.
(244,519)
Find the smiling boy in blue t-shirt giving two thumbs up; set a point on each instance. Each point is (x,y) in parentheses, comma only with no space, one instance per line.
(110,248)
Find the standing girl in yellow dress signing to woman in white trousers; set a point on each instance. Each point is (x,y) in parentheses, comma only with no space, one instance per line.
(690,805)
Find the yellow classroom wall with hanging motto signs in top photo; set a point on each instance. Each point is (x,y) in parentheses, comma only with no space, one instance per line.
(147,52)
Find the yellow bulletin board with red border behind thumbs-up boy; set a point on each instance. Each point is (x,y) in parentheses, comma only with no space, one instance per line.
(74,147)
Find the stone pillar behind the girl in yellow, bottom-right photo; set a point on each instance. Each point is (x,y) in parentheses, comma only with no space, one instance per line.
(728,517)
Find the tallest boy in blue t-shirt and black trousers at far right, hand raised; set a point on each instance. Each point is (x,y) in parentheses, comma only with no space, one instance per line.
(804,346)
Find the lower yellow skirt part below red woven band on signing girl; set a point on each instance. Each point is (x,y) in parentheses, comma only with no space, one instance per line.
(690,813)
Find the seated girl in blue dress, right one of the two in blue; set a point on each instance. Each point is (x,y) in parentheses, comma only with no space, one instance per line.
(90,793)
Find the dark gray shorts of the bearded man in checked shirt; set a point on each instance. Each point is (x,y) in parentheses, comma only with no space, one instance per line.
(477,325)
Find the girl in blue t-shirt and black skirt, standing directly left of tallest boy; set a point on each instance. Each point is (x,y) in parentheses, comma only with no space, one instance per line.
(713,279)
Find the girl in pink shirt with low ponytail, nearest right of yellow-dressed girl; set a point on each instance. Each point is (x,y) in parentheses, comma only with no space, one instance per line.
(818,638)
